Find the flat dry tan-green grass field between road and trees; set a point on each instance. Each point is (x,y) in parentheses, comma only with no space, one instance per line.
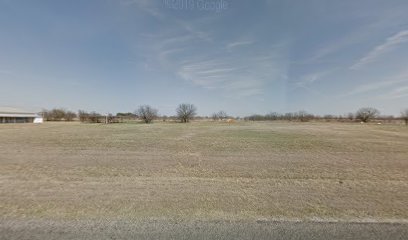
(204,170)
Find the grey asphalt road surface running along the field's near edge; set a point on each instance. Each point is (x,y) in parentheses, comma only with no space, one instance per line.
(163,229)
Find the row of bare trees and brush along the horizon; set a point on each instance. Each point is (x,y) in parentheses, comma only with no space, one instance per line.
(186,112)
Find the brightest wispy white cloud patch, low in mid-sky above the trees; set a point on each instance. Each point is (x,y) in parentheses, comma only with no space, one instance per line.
(239,78)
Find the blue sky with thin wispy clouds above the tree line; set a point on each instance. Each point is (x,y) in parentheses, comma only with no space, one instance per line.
(243,57)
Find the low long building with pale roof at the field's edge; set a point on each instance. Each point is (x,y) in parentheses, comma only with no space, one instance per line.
(13,115)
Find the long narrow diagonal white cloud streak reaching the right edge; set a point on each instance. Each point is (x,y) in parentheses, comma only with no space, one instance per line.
(390,43)
